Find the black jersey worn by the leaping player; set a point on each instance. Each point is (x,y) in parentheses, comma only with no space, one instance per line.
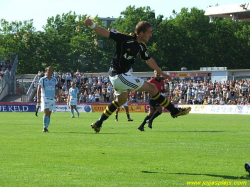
(127,48)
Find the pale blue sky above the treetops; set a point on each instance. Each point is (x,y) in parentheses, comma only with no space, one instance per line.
(40,10)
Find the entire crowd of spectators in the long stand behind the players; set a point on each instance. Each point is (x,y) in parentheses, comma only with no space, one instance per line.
(99,89)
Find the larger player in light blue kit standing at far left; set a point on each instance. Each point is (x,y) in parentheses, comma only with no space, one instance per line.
(46,92)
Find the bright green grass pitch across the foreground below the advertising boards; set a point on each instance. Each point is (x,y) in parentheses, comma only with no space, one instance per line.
(192,150)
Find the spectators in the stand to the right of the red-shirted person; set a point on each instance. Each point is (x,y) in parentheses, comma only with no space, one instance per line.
(231,92)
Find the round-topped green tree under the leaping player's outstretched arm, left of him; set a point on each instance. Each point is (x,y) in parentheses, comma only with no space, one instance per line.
(69,45)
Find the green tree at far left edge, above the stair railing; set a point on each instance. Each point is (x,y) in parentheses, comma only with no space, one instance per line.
(20,38)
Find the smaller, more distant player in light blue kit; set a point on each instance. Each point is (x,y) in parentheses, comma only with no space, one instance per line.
(73,98)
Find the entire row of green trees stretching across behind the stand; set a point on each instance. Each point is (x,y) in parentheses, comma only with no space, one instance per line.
(185,39)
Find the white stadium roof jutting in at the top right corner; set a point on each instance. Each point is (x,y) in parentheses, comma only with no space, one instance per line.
(235,12)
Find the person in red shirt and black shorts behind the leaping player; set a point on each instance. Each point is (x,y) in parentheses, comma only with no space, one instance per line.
(155,109)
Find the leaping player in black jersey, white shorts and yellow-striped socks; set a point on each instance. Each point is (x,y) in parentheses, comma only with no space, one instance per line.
(127,48)
